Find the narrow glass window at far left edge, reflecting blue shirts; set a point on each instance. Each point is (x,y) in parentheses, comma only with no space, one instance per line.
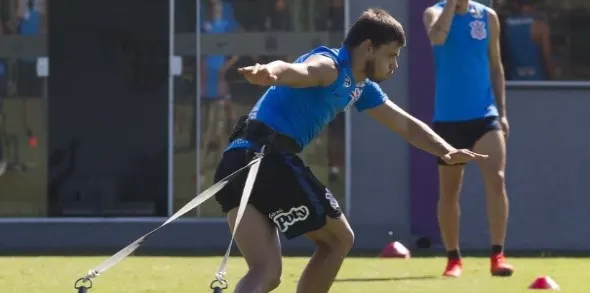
(23,132)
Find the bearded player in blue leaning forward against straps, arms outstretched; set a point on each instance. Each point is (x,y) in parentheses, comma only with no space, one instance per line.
(303,98)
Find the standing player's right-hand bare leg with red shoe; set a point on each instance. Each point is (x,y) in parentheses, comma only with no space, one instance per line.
(493,144)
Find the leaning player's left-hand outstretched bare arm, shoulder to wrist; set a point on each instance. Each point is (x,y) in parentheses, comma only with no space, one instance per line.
(317,70)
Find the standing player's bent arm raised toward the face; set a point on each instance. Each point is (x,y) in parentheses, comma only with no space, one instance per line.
(437,23)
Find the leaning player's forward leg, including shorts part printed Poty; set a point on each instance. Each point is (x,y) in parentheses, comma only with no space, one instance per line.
(306,207)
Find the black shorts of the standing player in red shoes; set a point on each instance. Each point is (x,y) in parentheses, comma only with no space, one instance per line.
(464,134)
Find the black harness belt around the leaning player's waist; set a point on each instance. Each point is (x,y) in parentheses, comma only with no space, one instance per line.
(260,134)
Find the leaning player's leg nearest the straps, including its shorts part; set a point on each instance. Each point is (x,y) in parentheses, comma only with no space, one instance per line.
(256,237)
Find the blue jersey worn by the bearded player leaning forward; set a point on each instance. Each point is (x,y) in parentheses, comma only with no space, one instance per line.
(302,113)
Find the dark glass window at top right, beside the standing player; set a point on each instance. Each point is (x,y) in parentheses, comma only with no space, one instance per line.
(545,39)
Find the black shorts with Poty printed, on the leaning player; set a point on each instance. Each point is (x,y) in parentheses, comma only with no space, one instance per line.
(286,191)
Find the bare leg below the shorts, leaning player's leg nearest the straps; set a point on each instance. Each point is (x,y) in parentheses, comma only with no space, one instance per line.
(259,244)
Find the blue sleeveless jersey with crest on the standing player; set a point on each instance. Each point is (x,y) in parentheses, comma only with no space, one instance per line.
(463,89)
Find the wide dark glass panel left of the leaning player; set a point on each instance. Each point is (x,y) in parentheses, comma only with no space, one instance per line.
(108,109)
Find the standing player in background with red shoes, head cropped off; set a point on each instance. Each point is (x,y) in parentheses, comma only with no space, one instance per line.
(470,113)
